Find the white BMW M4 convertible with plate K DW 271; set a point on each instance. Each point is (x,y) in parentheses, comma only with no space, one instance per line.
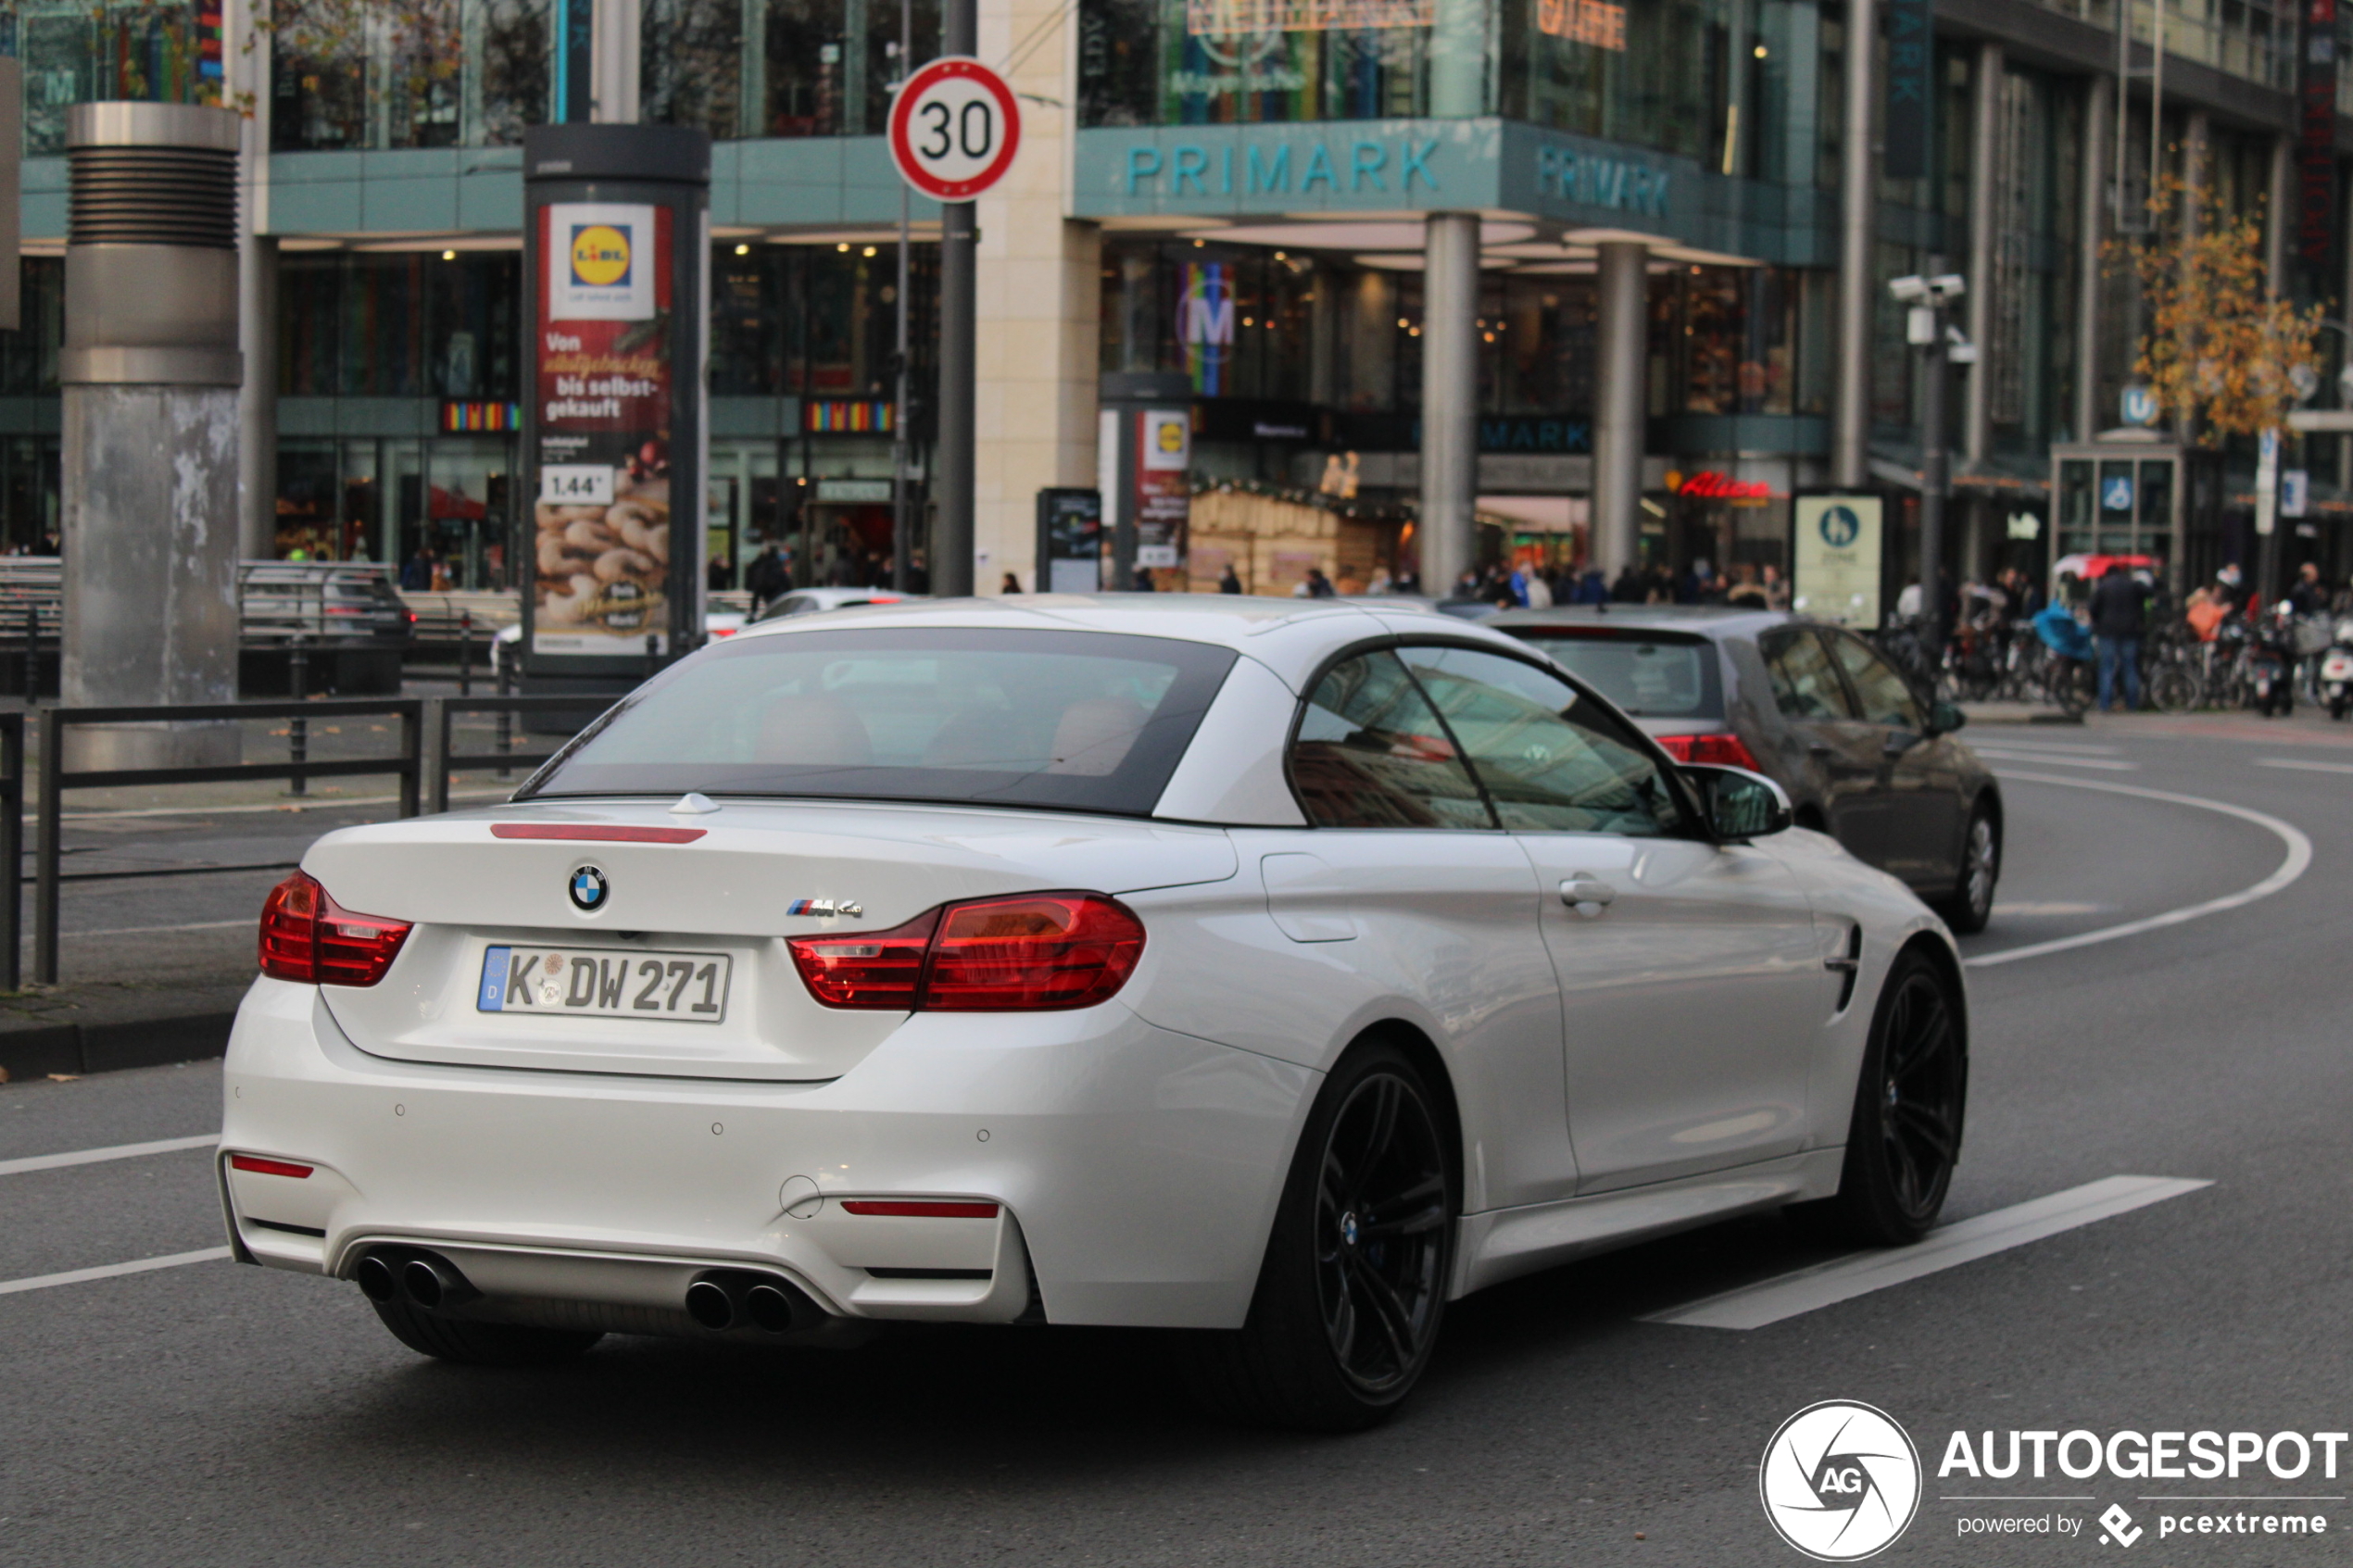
(1262,970)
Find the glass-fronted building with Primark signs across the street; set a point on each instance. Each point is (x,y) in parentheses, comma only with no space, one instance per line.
(1246,208)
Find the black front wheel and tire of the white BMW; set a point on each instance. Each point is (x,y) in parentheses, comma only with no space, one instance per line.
(1909,1108)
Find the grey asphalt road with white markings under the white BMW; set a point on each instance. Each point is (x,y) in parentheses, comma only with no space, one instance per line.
(218,1414)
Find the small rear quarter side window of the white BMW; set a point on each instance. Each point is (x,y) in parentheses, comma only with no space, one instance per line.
(1373,753)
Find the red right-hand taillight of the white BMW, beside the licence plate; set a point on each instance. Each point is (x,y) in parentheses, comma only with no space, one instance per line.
(989,956)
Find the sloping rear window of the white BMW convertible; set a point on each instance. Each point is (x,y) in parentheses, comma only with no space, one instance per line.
(973,716)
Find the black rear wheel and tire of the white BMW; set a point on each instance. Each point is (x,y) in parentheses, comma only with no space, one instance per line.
(1357,1271)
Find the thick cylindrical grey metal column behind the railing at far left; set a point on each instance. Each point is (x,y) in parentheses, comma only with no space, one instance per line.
(152,382)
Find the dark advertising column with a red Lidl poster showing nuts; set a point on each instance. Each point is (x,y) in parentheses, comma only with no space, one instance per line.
(613,427)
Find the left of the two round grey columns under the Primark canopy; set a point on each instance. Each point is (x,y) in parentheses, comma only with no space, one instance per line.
(1448,401)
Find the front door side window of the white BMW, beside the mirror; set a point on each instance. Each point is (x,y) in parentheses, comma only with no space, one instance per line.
(1549,756)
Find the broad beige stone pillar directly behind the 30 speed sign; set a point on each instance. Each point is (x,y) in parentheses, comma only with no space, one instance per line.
(1039,311)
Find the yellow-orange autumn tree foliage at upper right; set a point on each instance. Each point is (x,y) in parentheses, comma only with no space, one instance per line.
(2220,349)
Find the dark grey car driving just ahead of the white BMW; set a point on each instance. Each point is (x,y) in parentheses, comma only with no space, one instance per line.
(1862,753)
